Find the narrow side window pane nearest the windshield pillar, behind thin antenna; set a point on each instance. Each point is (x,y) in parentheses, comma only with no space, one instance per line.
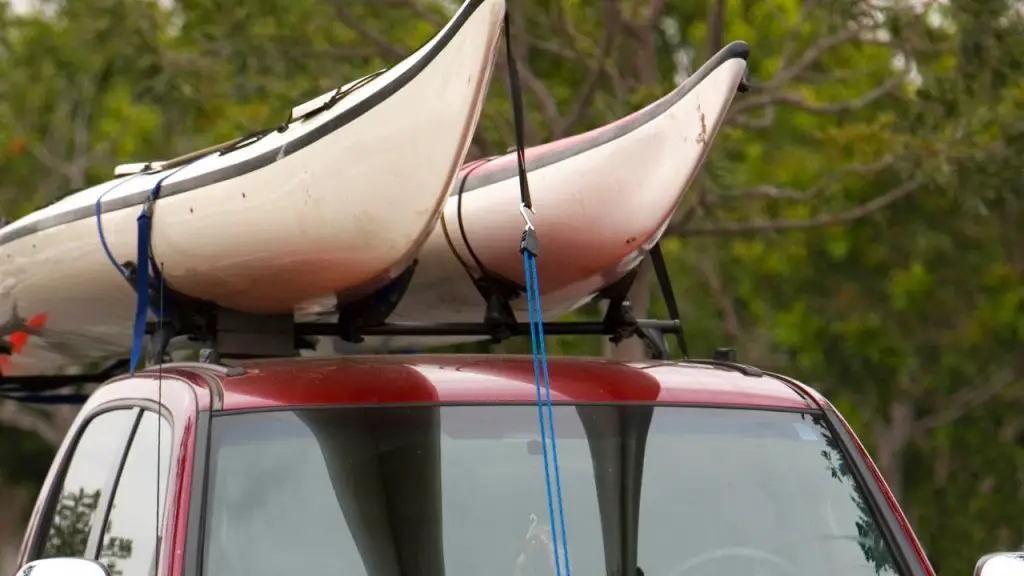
(131,538)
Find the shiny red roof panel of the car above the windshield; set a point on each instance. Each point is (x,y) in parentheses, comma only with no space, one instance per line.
(461,379)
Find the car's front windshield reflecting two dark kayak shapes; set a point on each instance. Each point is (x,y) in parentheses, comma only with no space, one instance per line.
(460,491)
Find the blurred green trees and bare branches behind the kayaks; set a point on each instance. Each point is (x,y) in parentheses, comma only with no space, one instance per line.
(860,224)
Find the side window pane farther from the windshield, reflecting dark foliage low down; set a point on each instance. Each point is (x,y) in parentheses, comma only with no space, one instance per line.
(94,461)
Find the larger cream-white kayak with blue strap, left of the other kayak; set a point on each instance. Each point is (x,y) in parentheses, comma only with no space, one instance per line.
(337,201)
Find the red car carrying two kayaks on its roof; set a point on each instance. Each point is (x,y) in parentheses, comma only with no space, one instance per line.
(407,466)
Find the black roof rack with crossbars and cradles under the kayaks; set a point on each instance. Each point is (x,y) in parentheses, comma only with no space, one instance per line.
(224,334)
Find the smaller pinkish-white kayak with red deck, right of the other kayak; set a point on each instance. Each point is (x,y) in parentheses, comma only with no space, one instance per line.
(603,200)
